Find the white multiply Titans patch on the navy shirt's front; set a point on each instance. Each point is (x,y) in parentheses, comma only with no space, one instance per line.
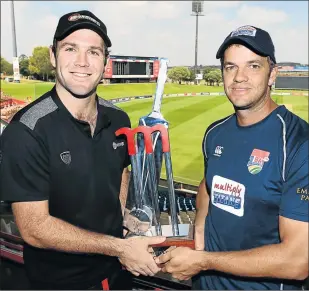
(228,195)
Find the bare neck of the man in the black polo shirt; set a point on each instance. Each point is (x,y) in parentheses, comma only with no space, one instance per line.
(83,109)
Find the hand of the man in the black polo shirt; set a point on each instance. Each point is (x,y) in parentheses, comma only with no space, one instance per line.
(136,256)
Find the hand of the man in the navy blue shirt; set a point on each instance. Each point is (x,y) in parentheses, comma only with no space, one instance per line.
(182,263)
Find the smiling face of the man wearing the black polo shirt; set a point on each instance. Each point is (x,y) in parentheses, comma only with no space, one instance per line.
(80,61)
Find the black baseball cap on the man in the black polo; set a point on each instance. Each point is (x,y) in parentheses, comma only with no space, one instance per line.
(73,21)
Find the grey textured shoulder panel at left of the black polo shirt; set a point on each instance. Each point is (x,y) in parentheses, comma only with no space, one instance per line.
(37,111)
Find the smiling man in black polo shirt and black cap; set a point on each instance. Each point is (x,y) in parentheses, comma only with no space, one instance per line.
(64,171)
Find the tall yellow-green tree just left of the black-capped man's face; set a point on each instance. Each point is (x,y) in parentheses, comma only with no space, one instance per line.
(39,62)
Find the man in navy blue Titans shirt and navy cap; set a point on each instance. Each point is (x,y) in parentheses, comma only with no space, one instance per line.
(251,229)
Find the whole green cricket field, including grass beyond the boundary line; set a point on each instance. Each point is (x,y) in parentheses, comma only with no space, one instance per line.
(188,116)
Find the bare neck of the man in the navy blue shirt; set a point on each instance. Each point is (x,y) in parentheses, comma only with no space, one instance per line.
(257,113)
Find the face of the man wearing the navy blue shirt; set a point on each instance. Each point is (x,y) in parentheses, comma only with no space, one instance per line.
(246,76)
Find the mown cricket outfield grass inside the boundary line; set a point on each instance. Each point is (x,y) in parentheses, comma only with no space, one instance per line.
(188,118)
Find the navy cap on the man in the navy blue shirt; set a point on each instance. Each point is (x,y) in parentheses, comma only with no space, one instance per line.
(255,39)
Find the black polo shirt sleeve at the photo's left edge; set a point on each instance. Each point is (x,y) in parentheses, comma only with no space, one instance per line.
(24,173)
